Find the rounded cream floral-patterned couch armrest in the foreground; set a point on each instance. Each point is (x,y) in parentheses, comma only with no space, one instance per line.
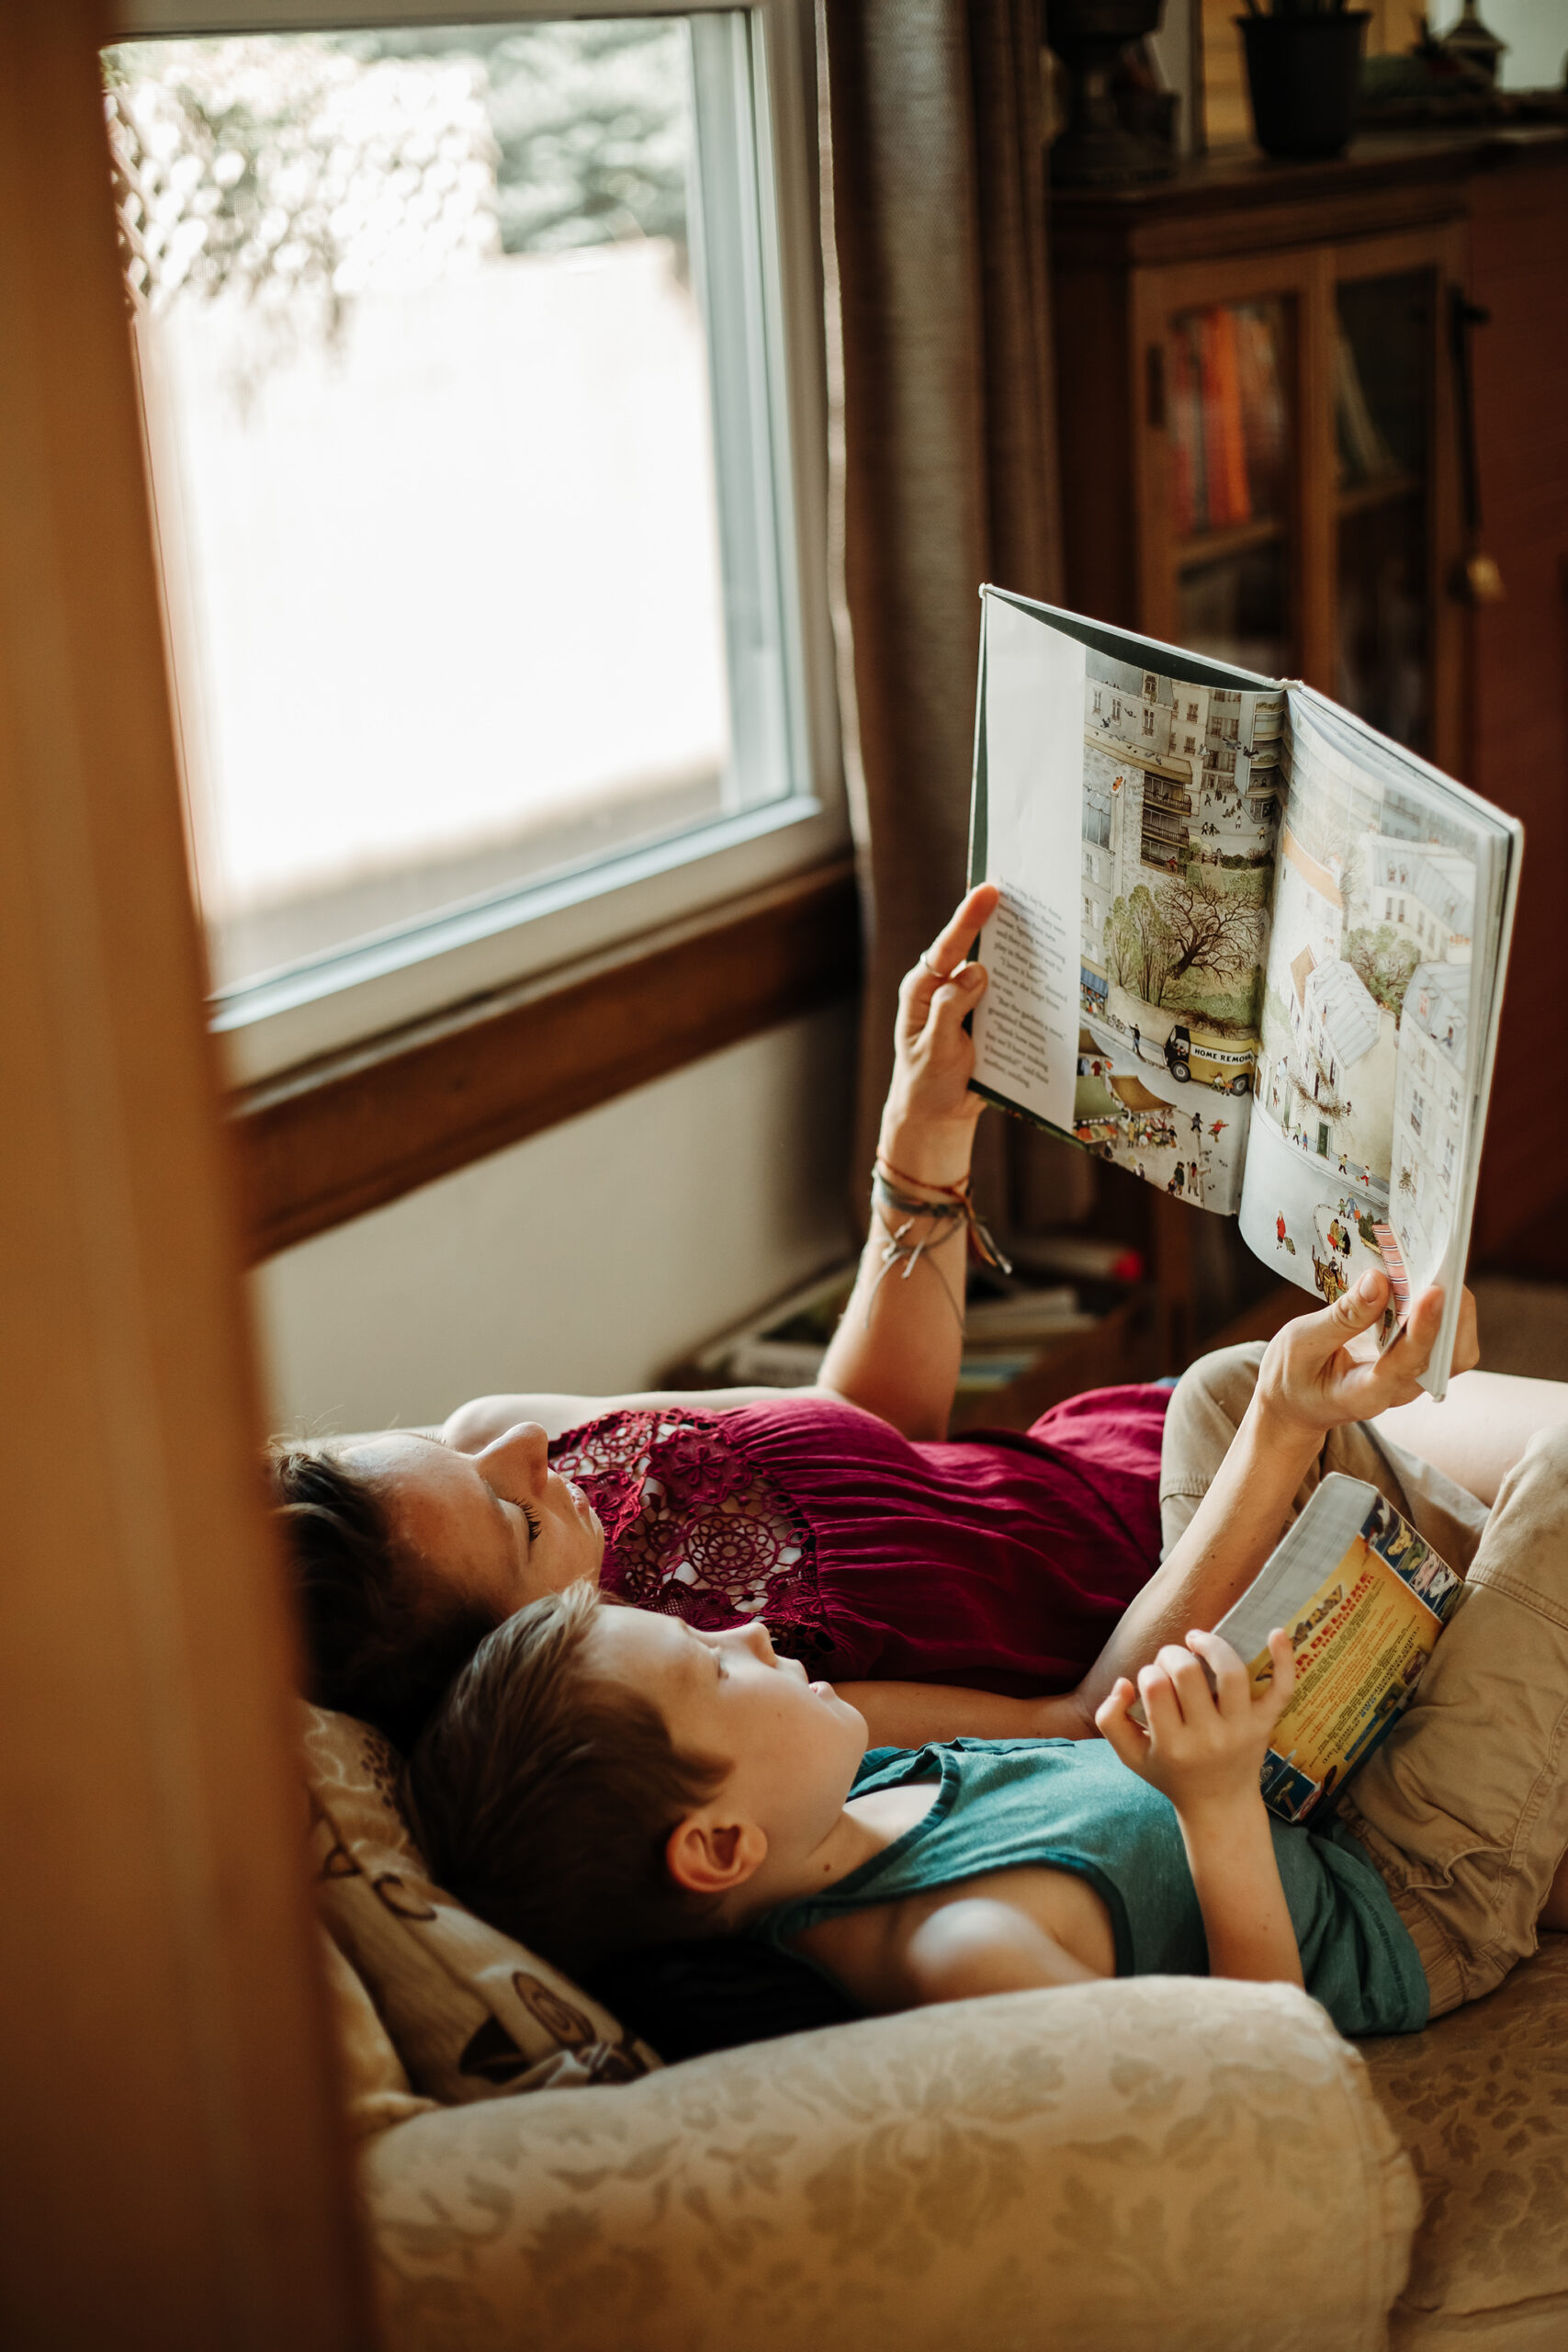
(1099,2167)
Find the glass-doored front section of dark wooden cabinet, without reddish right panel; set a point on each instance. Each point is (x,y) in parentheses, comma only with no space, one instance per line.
(1261,436)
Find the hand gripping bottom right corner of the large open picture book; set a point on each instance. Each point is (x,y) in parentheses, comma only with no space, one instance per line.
(1315,1372)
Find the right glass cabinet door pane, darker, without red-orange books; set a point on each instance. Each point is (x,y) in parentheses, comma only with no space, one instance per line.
(1383,375)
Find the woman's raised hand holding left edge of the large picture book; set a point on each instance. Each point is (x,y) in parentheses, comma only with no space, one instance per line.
(930,1116)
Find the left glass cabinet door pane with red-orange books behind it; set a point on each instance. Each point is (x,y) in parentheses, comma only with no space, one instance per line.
(1231,469)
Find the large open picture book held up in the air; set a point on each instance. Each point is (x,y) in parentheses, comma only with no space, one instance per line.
(1247,949)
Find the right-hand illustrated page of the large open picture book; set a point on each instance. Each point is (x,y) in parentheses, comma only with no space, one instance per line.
(1362,1095)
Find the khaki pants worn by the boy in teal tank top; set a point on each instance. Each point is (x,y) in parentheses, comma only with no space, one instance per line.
(1466,1805)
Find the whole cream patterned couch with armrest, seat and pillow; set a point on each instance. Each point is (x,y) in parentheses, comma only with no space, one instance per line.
(1167,2163)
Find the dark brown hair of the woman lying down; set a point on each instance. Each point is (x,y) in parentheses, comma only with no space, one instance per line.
(382,1638)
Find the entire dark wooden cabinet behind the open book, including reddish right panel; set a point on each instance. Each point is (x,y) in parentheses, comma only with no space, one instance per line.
(1264,457)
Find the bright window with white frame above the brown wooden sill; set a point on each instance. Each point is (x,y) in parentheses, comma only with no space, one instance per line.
(478,370)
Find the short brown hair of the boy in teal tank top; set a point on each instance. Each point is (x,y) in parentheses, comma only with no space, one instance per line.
(544,1793)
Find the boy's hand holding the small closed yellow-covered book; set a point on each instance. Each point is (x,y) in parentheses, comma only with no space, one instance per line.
(1202,1746)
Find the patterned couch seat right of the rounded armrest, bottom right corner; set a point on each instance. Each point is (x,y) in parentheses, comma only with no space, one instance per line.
(1482,2106)
